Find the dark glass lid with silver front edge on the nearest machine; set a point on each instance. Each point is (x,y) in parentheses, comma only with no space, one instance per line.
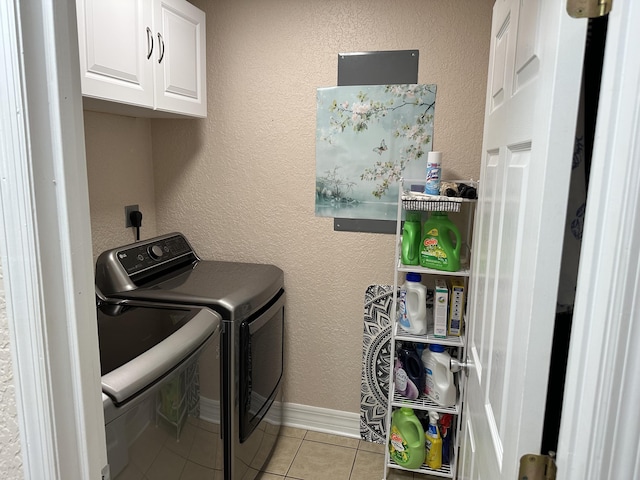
(140,345)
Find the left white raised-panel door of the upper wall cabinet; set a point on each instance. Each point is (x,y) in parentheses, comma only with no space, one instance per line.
(115,39)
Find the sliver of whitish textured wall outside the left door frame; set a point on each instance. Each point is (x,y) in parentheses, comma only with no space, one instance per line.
(10,451)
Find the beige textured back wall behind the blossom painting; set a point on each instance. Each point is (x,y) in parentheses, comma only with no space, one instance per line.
(240,184)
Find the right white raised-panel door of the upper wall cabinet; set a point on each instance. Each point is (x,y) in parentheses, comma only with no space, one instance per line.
(180,59)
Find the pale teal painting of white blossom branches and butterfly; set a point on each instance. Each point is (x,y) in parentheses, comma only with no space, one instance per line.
(367,138)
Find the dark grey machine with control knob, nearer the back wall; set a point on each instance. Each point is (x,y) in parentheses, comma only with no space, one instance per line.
(250,299)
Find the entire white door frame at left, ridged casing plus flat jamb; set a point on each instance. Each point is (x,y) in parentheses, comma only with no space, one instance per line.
(46,243)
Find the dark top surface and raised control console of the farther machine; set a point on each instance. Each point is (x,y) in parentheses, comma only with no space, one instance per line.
(166,269)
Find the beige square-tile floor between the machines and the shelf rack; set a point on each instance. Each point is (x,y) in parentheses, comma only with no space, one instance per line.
(307,455)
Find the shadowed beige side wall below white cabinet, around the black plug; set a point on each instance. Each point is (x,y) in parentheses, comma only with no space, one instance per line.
(120,171)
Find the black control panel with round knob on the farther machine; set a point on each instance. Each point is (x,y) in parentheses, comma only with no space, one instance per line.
(145,255)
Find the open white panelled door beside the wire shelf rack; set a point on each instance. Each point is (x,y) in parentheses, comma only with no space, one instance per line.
(532,101)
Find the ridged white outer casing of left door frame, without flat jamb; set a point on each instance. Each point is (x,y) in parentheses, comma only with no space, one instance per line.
(19,262)
